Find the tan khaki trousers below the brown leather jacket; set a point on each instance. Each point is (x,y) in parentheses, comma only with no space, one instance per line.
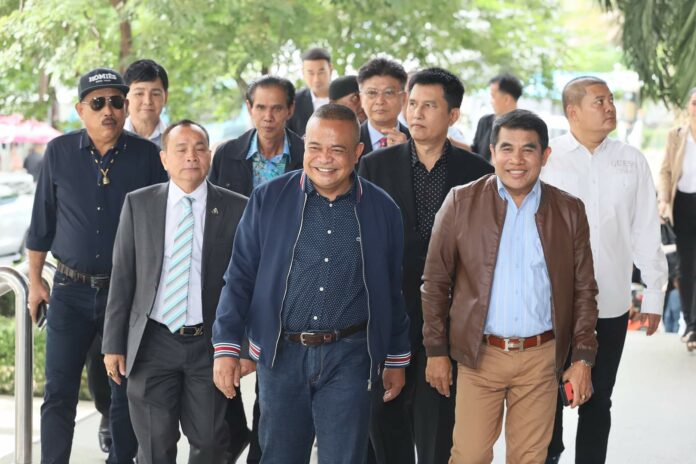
(526,383)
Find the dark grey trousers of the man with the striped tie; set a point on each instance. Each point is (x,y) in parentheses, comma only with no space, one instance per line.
(172,382)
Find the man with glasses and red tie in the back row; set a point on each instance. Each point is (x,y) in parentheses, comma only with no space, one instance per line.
(382,94)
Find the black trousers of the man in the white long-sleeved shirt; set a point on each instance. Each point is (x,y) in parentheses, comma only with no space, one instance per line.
(594,417)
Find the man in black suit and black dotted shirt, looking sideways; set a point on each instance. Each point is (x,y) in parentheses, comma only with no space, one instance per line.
(418,175)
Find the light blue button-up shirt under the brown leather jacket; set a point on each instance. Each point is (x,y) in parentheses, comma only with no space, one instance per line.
(521,295)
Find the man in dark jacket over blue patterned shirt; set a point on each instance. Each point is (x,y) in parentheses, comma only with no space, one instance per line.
(266,151)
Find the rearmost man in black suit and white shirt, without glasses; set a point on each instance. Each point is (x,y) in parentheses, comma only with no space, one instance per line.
(316,72)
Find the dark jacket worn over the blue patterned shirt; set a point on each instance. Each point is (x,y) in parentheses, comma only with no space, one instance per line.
(233,171)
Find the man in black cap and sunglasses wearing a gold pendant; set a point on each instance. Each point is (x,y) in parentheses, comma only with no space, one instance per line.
(86,176)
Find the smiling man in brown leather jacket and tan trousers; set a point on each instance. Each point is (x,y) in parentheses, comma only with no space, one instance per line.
(508,288)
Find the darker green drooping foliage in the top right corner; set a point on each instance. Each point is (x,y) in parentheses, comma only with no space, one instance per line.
(660,45)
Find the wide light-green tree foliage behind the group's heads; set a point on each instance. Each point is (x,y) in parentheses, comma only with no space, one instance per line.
(211,48)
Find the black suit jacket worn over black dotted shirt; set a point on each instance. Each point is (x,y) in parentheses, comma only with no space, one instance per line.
(390,169)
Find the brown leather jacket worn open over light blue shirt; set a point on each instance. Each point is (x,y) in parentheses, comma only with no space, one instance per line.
(458,275)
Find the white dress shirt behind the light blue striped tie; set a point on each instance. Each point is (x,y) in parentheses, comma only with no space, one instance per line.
(194,312)
